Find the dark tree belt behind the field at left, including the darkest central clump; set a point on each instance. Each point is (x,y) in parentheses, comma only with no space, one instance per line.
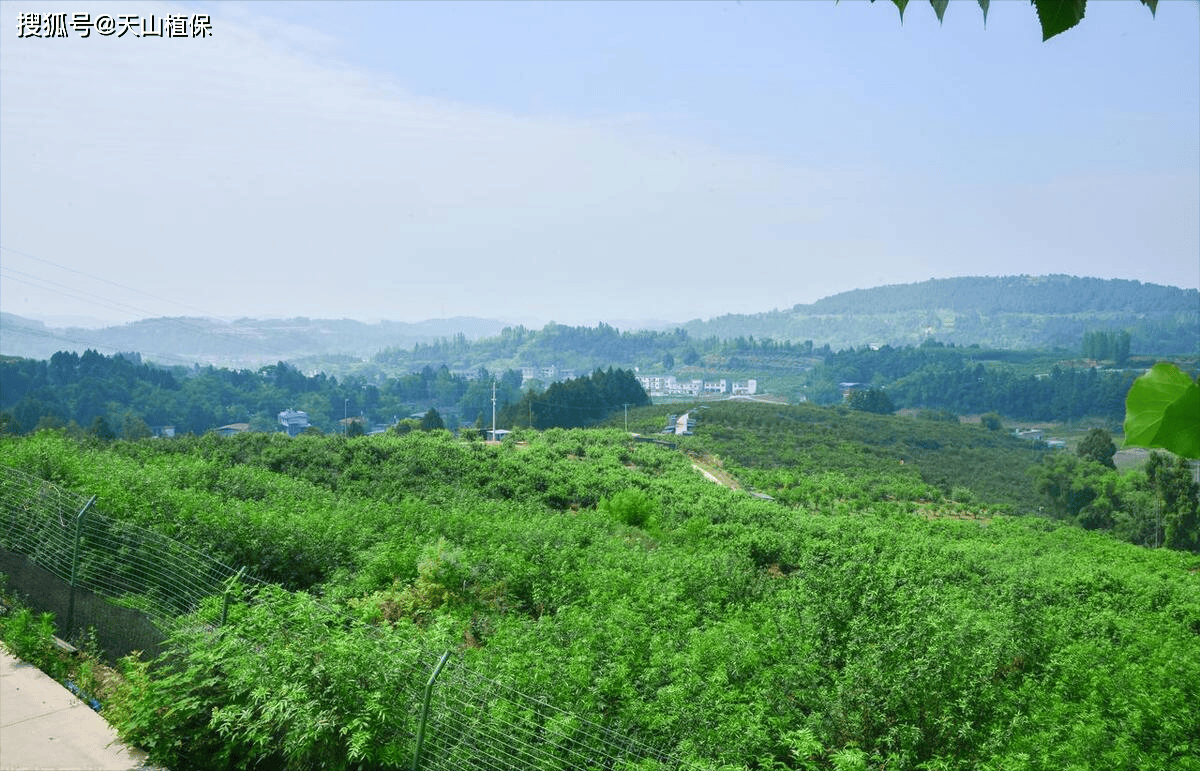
(105,392)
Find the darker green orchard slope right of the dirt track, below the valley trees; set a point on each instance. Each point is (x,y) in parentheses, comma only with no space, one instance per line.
(805,455)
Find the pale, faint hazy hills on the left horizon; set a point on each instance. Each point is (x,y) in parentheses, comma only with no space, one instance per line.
(242,344)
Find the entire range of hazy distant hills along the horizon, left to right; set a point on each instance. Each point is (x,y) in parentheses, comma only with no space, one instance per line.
(1012,313)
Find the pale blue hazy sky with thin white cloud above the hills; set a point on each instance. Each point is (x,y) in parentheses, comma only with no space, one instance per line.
(586,162)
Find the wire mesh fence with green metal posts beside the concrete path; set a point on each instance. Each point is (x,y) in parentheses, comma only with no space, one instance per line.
(118,577)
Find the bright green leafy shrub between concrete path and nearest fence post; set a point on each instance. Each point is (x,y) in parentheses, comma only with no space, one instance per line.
(286,684)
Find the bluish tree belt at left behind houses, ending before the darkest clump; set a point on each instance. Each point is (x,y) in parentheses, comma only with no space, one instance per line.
(122,397)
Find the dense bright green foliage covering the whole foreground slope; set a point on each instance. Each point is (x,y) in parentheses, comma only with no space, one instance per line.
(874,623)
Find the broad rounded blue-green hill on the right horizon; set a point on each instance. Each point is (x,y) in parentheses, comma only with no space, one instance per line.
(1001,313)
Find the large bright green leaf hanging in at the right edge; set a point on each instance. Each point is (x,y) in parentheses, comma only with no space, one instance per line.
(1163,410)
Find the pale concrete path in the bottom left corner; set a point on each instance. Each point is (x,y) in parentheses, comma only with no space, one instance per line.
(44,727)
